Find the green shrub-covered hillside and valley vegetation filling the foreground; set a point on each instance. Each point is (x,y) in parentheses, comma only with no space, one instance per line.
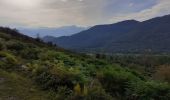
(33,70)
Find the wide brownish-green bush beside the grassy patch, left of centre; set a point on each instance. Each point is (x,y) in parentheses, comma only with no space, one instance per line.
(54,77)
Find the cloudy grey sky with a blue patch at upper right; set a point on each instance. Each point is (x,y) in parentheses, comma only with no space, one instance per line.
(56,13)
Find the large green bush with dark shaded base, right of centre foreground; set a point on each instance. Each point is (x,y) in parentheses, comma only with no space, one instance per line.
(116,81)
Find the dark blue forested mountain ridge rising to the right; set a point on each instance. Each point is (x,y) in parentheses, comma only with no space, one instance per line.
(126,36)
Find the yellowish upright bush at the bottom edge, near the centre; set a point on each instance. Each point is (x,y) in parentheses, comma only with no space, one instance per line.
(93,91)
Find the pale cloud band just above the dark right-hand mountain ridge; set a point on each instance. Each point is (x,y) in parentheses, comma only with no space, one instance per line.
(161,8)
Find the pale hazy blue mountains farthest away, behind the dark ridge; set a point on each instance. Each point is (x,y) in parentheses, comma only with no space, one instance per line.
(55,32)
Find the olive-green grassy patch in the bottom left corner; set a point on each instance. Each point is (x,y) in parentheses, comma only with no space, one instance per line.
(16,87)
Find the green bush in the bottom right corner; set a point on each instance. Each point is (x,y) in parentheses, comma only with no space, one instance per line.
(151,91)
